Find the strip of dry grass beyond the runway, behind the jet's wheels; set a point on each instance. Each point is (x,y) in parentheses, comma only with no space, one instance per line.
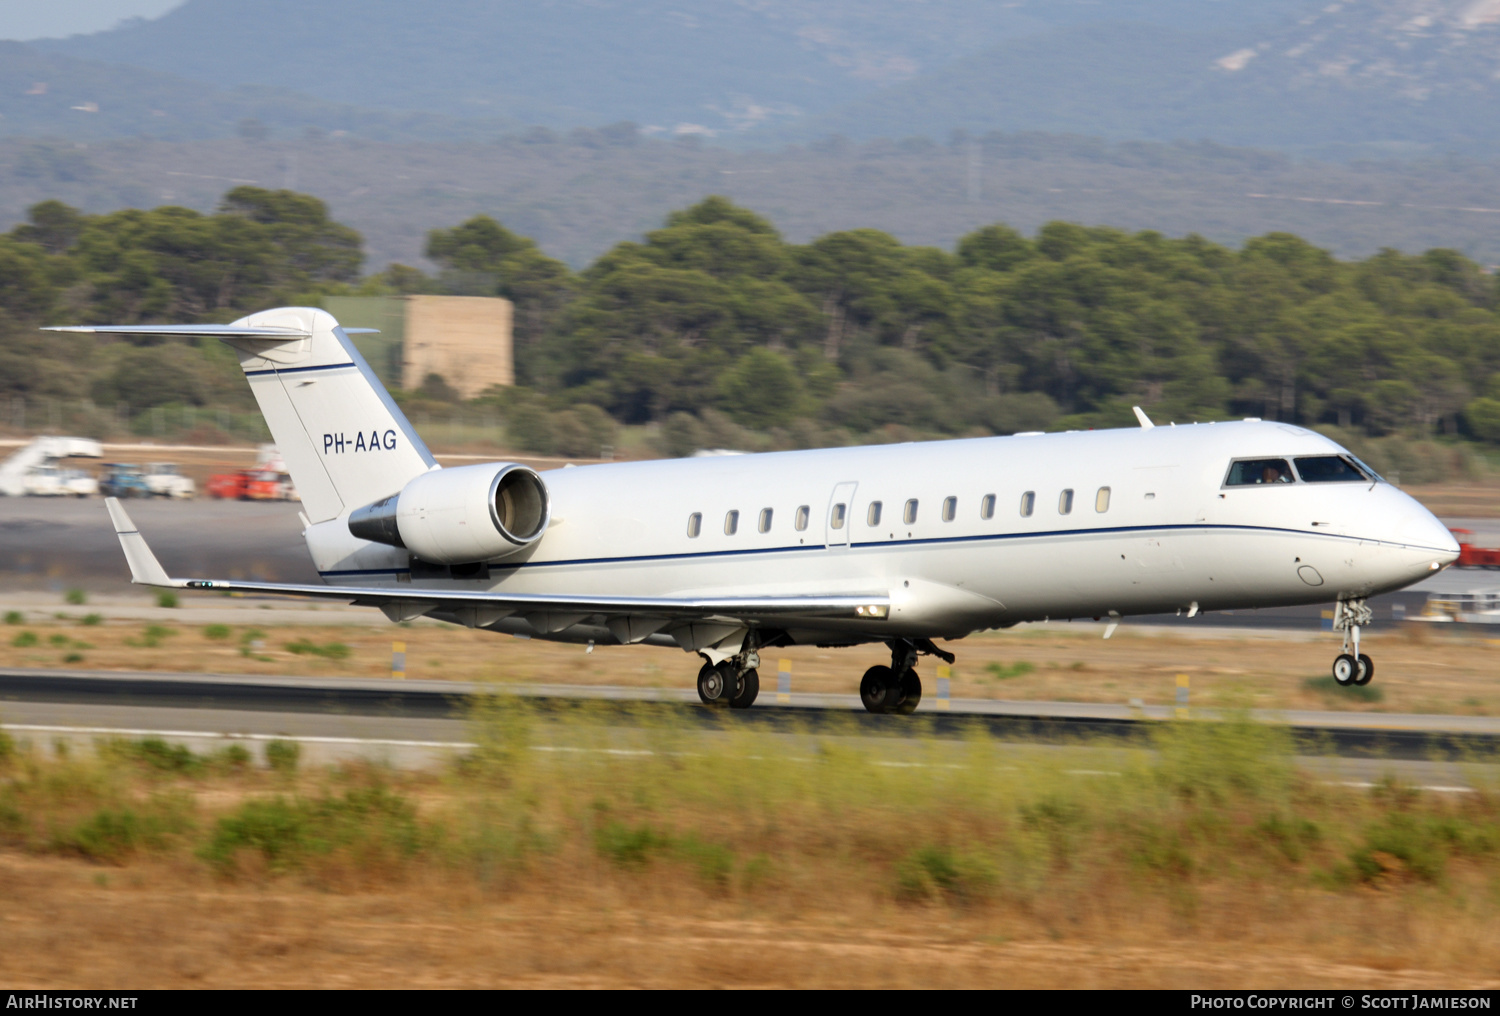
(1423,670)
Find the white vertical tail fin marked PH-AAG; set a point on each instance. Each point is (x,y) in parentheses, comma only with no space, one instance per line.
(346,440)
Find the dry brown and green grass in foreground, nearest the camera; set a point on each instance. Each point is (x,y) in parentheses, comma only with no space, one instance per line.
(743,859)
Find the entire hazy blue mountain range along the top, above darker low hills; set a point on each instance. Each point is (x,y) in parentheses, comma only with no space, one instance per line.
(1385,77)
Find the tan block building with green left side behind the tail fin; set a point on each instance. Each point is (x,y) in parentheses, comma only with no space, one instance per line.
(467,341)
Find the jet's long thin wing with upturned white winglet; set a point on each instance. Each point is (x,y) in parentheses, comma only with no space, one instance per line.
(416,601)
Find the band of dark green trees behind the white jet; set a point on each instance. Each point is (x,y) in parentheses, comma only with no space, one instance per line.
(719,331)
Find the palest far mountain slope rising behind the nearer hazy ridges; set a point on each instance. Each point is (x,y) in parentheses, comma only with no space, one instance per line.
(727,67)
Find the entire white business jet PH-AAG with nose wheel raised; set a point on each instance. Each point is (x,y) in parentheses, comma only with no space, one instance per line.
(731,556)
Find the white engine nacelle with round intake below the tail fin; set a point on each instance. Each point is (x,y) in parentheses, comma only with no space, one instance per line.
(461,516)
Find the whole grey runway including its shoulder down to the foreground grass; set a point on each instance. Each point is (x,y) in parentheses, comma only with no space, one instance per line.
(421,724)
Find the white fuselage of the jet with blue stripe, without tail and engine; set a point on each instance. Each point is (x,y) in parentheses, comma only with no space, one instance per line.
(1172,535)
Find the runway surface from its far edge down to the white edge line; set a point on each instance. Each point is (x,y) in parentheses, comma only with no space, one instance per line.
(439,711)
